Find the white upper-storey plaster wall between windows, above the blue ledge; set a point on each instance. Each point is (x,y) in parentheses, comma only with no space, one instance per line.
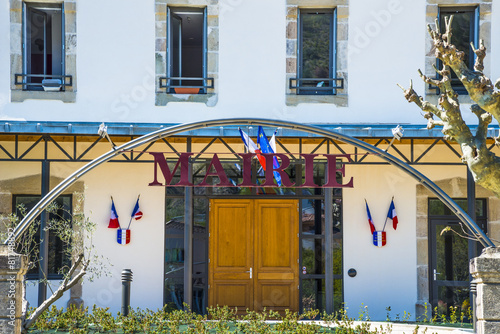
(115,65)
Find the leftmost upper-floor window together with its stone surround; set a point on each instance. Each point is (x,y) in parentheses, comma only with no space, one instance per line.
(43,50)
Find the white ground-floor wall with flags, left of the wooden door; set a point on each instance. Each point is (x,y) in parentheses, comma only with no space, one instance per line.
(144,254)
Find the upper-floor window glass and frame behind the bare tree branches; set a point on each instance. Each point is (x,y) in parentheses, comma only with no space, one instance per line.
(465,30)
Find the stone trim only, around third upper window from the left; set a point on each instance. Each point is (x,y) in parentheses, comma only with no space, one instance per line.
(340,99)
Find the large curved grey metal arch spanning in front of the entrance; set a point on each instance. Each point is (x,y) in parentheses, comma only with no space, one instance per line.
(177,129)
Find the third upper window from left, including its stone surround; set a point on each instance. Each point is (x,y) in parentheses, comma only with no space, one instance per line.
(316,52)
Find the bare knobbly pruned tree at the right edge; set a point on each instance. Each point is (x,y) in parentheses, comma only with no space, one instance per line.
(483,164)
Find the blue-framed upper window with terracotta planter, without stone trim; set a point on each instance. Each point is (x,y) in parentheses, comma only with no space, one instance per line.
(186,51)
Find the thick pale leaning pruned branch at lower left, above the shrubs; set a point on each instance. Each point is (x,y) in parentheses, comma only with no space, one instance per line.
(69,281)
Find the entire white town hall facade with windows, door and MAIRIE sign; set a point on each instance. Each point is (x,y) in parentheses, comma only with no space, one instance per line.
(136,66)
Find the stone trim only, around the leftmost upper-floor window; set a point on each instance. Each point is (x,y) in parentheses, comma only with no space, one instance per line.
(16,52)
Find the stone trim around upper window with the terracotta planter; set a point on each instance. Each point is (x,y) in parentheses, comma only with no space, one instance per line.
(161,97)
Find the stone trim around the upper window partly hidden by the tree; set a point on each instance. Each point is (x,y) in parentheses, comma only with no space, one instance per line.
(431,13)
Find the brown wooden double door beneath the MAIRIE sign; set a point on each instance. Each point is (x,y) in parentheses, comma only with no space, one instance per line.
(254,254)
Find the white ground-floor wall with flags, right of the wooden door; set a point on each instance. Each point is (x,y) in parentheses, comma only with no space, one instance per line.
(386,276)
